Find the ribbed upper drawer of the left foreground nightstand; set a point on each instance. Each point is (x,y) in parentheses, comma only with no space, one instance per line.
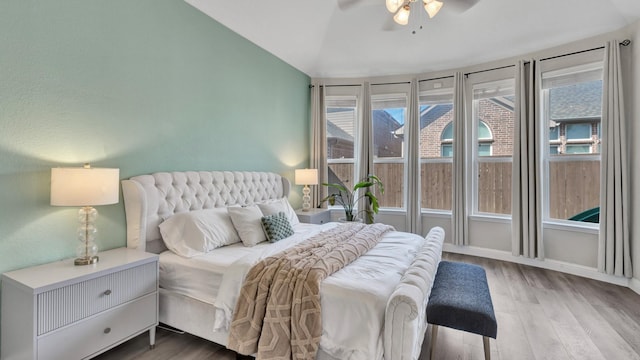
(66,305)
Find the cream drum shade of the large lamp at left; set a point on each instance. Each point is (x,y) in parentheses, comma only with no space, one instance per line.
(84,186)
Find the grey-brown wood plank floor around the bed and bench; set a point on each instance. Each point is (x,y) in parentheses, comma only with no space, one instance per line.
(541,314)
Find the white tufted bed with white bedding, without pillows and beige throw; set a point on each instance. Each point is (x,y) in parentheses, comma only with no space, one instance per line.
(374,308)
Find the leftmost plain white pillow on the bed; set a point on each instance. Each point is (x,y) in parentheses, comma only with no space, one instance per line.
(197,232)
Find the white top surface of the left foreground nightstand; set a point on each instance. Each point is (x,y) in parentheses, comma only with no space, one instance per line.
(43,277)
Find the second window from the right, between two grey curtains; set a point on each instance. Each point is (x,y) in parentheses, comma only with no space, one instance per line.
(493,119)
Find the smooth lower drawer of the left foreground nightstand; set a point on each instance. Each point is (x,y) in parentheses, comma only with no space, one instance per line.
(92,335)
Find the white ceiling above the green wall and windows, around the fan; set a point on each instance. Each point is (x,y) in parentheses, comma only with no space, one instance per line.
(354,38)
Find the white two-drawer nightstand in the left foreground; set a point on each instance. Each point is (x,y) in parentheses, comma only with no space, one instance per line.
(63,311)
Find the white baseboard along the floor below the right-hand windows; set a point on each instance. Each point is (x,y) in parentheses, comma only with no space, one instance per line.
(568,268)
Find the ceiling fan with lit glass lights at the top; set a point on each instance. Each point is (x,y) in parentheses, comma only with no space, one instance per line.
(401,9)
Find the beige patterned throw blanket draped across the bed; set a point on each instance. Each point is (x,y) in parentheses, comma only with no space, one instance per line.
(278,311)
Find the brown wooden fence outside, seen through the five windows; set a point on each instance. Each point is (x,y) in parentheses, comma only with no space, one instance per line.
(574,186)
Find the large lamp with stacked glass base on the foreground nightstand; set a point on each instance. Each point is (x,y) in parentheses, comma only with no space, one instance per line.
(85,187)
